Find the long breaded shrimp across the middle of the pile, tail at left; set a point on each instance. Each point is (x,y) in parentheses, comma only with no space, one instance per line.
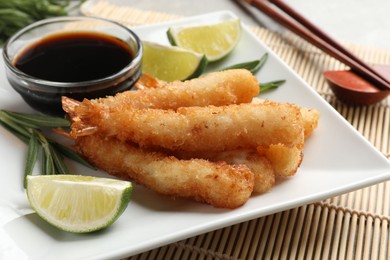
(208,128)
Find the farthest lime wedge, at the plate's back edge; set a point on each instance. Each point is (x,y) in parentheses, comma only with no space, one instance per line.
(214,40)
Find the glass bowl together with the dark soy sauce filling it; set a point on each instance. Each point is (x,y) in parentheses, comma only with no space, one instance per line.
(77,64)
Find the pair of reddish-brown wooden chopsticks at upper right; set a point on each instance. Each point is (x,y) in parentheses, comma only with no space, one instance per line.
(311,33)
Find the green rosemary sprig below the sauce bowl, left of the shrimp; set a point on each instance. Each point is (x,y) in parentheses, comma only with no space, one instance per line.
(27,127)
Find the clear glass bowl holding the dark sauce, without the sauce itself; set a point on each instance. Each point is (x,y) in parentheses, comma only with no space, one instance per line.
(44,94)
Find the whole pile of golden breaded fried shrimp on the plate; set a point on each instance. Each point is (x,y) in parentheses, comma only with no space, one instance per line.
(207,139)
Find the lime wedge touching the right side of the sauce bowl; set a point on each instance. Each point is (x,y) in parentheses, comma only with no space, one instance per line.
(171,63)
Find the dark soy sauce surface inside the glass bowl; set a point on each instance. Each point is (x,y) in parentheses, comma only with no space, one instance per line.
(74,57)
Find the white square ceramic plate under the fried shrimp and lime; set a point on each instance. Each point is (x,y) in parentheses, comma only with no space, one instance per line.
(337,160)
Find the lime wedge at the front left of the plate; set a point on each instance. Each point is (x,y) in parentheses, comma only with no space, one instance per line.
(77,203)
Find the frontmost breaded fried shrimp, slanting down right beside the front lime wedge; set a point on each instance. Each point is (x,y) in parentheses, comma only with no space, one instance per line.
(219,184)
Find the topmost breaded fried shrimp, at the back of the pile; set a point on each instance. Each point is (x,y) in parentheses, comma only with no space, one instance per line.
(218,89)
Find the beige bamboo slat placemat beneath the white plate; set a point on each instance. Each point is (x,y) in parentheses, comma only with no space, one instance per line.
(354,225)
